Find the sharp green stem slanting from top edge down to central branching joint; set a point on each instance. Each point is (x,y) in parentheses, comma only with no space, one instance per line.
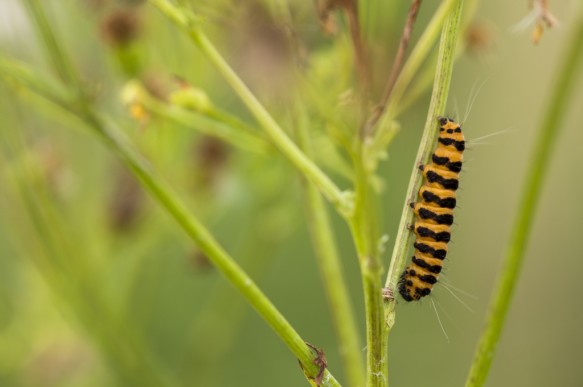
(190,24)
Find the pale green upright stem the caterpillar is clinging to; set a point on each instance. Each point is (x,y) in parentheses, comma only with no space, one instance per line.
(441,85)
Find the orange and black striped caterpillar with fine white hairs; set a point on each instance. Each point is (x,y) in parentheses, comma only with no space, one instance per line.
(434,212)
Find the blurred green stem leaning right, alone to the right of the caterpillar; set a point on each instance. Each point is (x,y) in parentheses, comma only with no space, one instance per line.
(548,133)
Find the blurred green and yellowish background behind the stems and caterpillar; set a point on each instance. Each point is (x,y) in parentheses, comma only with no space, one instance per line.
(112,275)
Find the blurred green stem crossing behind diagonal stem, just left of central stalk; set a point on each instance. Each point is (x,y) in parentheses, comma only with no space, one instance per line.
(328,261)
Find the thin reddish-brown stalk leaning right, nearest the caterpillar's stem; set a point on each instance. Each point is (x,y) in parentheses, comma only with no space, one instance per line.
(397,65)
